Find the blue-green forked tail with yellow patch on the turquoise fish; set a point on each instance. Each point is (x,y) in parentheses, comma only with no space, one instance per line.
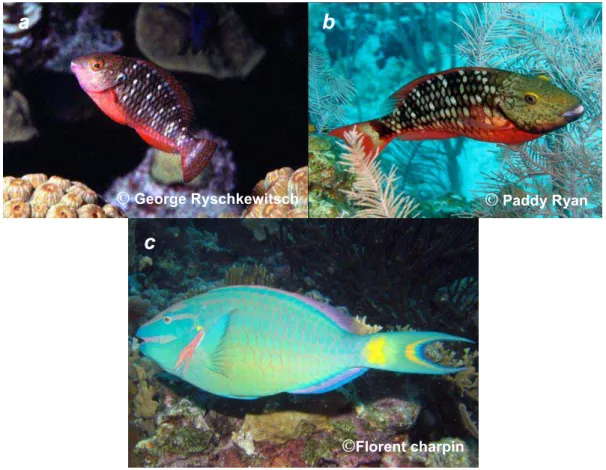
(406,351)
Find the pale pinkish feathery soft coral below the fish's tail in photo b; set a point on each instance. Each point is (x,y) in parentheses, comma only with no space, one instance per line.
(374,193)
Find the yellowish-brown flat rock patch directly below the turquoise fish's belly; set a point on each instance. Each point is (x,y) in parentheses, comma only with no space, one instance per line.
(282,426)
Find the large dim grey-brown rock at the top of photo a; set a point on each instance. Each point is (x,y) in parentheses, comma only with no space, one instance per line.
(170,35)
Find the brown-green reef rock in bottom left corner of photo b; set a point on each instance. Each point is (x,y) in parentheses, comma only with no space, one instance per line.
(328,179)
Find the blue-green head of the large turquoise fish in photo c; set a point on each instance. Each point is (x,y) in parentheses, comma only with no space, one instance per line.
(166,335)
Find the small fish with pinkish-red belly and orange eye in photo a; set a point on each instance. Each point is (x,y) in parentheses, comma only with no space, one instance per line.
(141,95)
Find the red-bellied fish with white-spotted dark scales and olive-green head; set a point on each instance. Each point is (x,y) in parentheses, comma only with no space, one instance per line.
(484,104)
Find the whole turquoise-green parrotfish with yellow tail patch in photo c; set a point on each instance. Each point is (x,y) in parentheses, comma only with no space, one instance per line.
(249,342)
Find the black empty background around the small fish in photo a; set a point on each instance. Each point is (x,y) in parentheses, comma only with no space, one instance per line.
(262,117)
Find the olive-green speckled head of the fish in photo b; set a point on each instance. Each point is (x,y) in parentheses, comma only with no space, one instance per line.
(536,105)
